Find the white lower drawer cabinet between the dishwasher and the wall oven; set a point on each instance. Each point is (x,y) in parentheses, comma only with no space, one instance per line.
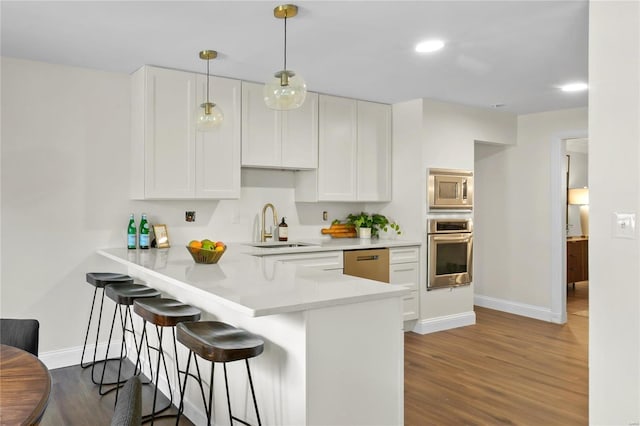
(404,269)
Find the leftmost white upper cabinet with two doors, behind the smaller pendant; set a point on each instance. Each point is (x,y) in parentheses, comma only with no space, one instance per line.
(170,160)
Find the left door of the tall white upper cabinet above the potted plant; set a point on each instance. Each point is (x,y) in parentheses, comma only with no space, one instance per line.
(337,149)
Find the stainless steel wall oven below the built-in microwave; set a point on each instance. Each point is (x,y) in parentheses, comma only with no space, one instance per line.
(449,251)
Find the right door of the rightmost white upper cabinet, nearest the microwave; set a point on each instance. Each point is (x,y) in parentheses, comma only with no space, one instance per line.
(374,152)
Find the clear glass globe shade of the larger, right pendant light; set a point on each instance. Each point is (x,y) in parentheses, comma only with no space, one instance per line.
(285,91)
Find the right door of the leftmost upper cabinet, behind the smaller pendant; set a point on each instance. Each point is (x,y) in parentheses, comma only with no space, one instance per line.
(217,153)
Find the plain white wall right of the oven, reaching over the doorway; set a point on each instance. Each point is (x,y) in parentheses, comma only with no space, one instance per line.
(513,214)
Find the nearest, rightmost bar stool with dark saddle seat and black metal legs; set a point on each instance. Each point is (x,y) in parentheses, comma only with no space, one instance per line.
(218,342)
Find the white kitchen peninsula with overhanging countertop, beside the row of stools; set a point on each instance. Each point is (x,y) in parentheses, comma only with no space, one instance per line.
(333,343)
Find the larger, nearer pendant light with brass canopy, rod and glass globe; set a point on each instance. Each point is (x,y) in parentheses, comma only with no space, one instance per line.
(286,90)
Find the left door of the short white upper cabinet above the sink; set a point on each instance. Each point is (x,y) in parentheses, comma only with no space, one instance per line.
(261,132)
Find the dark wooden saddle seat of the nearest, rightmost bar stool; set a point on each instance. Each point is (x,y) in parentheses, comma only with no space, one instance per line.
(219,342)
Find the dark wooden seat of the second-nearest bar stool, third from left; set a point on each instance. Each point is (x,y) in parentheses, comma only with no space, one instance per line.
(165,312)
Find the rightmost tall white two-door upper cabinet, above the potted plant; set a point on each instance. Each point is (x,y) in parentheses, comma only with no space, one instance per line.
(354,161)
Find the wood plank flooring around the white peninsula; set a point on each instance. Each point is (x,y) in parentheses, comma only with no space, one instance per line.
(505,370)
